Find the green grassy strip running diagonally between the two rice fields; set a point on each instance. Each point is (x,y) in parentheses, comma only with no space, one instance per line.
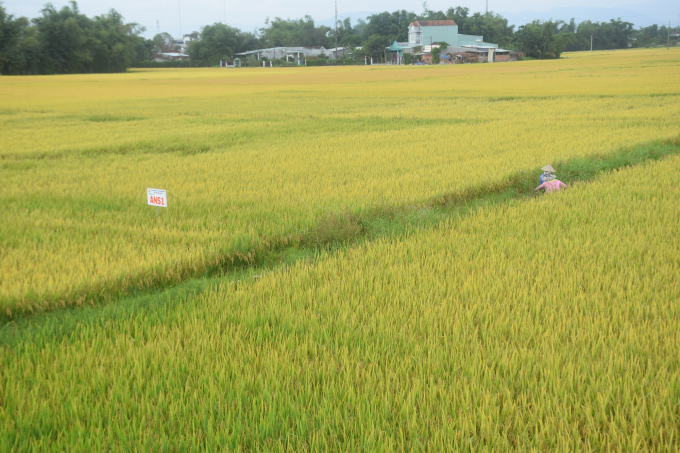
(337,229)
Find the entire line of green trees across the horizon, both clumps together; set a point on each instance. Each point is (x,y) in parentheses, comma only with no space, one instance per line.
(65,41)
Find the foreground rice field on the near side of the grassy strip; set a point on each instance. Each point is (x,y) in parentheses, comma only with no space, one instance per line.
(550,324)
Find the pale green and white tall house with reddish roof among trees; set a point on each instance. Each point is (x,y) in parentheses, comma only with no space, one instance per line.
(426,32)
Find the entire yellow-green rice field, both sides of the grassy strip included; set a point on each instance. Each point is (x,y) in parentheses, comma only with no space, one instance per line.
(500,321)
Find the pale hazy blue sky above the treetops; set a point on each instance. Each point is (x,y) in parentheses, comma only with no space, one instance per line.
(185,16)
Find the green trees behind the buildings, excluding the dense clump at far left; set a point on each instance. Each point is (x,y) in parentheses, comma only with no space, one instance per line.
(538,39)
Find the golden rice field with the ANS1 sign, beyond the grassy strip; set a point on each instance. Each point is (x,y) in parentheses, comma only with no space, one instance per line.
(256,157)
